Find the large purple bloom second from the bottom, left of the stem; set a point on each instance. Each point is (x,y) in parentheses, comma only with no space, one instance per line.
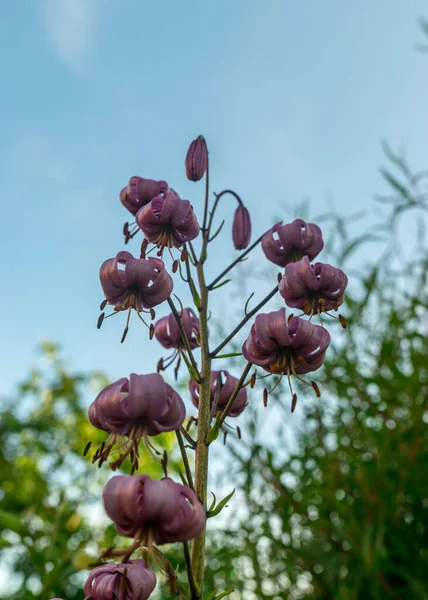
(159,511)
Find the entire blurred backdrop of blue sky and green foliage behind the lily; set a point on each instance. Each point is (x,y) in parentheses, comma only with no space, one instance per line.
(316,110)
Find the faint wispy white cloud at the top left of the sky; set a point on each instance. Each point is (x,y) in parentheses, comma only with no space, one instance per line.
(70,25)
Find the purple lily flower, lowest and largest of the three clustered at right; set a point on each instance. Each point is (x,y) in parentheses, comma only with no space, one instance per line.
(290,348)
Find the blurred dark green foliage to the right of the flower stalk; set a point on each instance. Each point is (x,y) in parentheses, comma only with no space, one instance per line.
(342,513)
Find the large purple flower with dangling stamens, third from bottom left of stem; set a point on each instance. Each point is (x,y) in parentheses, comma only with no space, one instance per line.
(137,407)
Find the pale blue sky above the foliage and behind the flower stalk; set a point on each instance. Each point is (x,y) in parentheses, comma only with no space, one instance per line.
(294,99)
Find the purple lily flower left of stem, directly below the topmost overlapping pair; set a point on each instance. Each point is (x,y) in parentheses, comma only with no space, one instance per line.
(138,283)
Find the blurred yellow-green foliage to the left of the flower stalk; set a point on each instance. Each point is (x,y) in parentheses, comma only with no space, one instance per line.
(51,521)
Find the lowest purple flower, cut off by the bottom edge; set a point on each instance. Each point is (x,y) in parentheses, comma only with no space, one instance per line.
(131,580)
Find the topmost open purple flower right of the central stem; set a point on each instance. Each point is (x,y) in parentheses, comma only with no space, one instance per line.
(284,244)
